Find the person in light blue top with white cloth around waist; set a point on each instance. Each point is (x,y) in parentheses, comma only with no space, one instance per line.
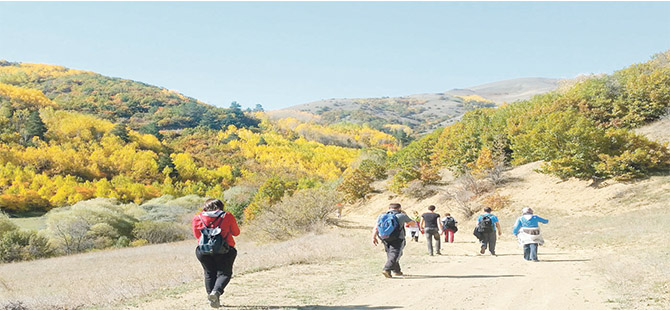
(527,231)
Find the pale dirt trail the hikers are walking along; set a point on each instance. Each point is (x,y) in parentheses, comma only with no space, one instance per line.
(561,280)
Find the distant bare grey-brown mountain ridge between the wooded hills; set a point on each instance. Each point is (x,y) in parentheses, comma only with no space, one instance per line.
(423,112)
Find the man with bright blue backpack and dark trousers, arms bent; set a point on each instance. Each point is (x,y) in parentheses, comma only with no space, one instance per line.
(390,228)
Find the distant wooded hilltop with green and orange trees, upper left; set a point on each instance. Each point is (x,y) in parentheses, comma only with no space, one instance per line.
(117,99)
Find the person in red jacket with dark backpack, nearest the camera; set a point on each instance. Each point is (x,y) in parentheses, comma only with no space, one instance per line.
(218,268)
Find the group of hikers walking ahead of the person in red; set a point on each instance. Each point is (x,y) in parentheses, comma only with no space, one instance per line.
(390,230)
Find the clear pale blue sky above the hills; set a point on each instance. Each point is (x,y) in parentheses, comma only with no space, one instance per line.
(281,54)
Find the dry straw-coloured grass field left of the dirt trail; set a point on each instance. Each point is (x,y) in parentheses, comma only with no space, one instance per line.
(102,278)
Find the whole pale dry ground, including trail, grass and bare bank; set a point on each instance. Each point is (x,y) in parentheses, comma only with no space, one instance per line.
(599,245)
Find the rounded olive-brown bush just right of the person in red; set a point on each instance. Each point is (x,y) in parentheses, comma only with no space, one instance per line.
(306,211)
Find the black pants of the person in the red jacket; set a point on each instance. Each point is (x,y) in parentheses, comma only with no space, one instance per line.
(218,269)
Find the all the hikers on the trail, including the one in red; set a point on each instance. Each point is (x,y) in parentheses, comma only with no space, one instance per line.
(214,228)
